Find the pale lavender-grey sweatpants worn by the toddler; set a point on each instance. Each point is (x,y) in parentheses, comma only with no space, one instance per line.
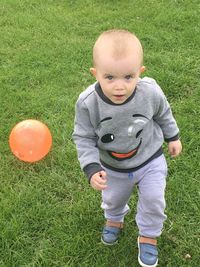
(151,182)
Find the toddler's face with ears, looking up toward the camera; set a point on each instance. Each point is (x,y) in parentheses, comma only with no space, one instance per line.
(118,76)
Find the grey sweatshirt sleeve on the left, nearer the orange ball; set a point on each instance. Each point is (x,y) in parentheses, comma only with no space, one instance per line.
(86,140)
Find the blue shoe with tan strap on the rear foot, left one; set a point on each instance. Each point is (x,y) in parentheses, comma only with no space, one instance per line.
(111,232)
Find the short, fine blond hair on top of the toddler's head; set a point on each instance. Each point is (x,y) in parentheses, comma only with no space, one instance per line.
(120,40)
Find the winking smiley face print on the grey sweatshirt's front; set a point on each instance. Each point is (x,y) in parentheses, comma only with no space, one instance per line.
(122,138)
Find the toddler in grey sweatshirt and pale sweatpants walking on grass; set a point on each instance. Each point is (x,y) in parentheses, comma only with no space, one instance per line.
(121,123)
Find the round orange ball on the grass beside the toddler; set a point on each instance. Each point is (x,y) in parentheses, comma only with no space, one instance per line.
(30,140)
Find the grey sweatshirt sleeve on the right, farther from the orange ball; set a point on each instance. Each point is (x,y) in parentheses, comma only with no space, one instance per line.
(164,117)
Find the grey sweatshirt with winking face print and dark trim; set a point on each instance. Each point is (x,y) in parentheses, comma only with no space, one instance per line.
(123,137)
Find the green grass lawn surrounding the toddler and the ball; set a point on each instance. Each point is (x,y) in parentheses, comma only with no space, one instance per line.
(49,216)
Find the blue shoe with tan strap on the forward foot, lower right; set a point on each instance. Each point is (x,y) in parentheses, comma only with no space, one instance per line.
(148,253)
